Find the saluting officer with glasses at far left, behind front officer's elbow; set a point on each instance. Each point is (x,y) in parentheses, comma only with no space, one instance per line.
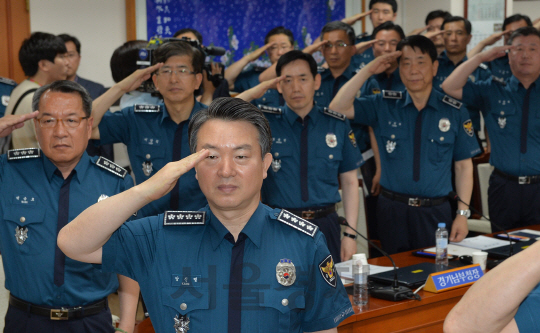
(41,191)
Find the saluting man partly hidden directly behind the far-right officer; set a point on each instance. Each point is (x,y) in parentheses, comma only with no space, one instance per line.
(500,67)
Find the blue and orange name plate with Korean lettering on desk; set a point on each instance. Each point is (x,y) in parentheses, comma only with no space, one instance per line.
(453,278)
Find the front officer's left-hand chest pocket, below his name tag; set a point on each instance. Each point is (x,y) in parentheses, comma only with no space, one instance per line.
(191,302)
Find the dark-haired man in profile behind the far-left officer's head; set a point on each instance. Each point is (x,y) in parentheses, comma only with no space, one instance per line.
(73,57)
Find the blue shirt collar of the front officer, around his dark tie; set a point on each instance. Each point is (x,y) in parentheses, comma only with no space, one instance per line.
(253,229)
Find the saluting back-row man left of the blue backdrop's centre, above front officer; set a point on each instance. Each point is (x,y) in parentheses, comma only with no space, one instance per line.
(277,42)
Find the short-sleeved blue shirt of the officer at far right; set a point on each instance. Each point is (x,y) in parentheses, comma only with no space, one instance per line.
(501,103)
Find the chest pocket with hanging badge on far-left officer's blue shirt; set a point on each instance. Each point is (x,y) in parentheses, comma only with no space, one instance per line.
(25,224)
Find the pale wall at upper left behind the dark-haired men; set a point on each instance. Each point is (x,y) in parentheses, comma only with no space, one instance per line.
(100,25)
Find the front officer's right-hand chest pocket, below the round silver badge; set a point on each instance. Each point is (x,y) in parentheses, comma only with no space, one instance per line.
(283,308)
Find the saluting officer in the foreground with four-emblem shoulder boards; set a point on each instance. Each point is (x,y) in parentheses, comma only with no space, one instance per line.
(237,265)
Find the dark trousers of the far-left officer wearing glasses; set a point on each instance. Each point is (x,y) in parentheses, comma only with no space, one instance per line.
(18,321)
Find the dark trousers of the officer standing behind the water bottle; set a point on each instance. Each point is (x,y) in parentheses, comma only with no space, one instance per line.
(403,228)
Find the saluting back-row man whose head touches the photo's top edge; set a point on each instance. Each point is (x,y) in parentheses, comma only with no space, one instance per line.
(380,11)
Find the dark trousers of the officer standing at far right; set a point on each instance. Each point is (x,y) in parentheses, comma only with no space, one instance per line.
(512,205)
